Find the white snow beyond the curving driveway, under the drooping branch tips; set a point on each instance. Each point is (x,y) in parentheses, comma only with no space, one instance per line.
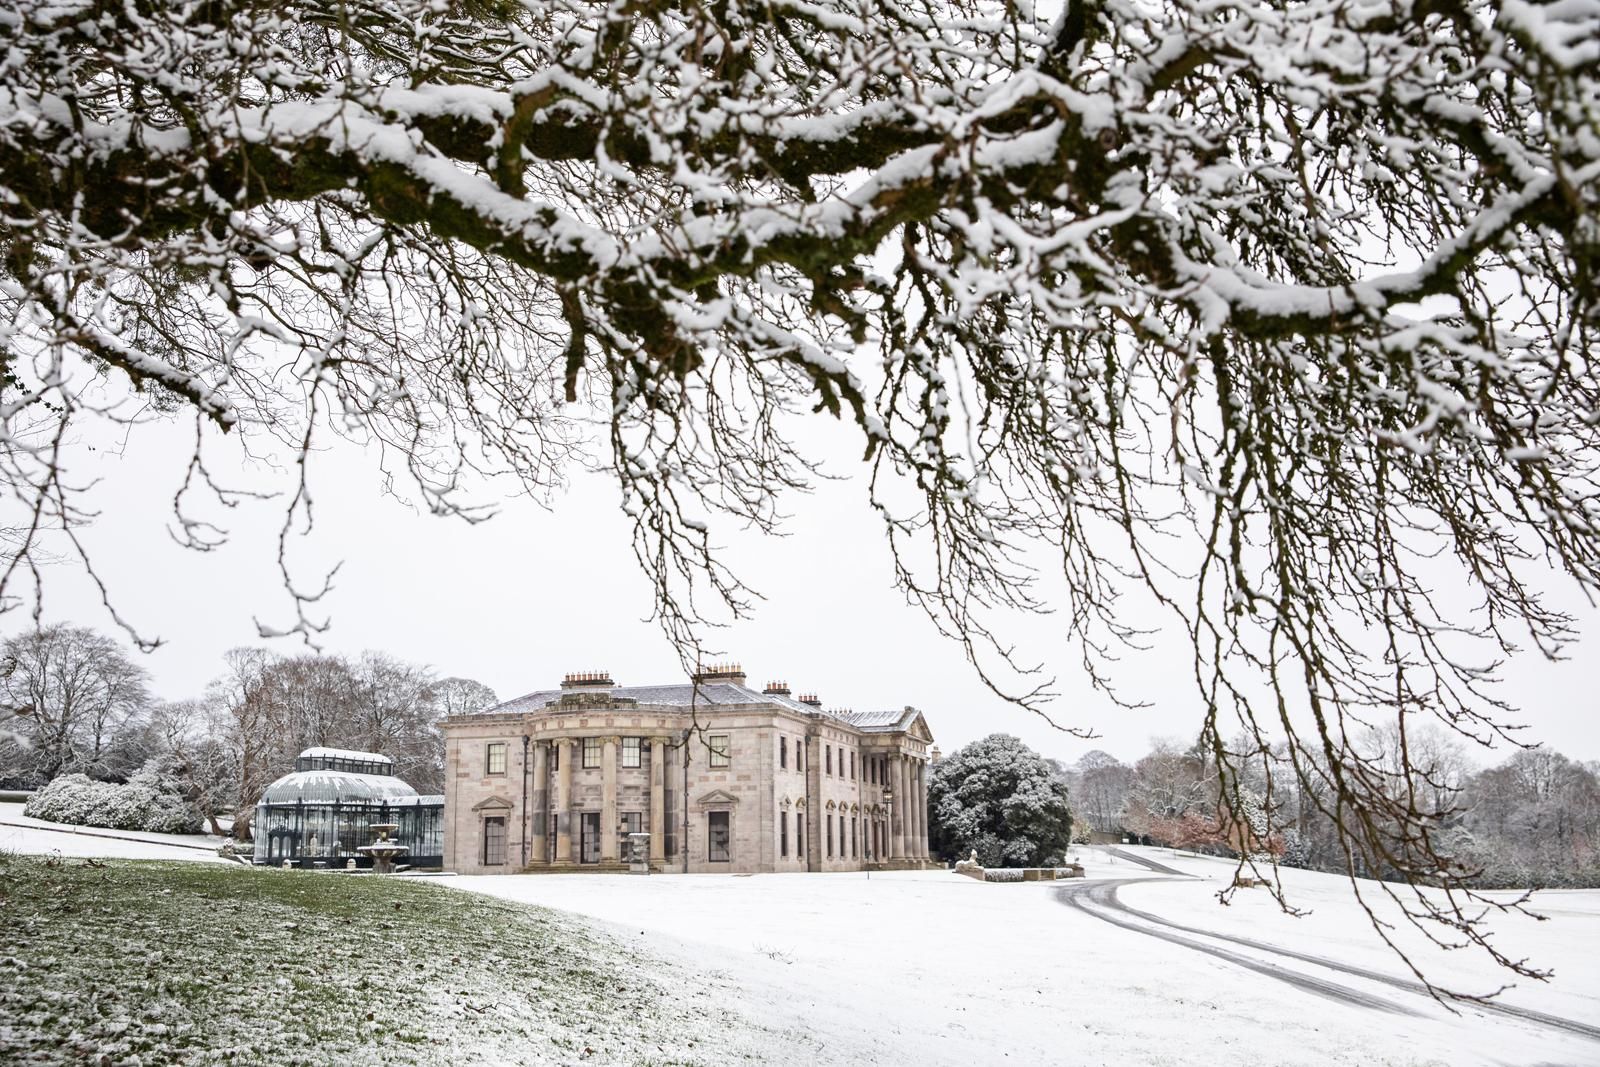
(1337,929)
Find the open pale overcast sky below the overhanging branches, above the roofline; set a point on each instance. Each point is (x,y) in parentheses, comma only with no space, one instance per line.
(534,594)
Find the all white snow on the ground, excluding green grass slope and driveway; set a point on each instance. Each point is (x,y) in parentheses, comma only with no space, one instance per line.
(935,969)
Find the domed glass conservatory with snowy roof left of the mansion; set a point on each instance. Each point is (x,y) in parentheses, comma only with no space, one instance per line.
(326,810)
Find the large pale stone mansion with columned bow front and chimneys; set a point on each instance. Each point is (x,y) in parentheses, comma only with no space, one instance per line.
(722,778)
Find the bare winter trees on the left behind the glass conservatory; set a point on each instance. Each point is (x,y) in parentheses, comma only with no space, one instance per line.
(73,701)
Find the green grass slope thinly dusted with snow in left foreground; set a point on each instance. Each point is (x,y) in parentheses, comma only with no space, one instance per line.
(153,964)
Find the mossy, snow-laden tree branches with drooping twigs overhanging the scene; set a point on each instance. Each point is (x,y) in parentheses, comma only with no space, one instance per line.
(1281,314)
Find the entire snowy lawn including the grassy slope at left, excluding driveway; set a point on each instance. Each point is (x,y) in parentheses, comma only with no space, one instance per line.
(898,969)
